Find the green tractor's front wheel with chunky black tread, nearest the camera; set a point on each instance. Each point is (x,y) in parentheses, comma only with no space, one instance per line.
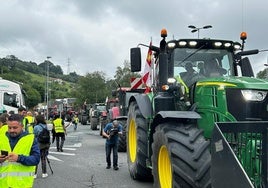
(181,157)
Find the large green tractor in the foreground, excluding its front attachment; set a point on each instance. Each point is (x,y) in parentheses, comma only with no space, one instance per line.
(196,84)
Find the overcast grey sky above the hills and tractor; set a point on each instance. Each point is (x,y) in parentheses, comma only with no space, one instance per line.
(96,35)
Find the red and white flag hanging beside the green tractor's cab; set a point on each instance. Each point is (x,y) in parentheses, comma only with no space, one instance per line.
(147,74)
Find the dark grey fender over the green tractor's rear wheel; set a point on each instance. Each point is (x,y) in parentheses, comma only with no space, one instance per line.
(144,104)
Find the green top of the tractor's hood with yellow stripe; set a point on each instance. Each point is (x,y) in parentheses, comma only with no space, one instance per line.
(234,81)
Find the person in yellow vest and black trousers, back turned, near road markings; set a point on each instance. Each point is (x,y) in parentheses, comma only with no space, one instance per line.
(60,131)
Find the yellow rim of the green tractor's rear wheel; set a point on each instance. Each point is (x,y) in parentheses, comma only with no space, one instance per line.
(132,141)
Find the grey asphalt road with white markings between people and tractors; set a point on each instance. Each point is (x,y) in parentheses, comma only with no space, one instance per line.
(82,164)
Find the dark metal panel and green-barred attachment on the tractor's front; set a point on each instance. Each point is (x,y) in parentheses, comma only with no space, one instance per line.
(239,155)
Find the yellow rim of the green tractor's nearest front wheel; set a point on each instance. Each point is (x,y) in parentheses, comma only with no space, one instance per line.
(164,168)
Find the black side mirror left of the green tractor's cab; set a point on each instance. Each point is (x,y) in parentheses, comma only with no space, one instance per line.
(135,59)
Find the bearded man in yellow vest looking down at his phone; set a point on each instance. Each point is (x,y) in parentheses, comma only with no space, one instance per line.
(19,155)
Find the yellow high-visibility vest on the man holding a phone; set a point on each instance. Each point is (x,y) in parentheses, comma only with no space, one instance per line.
(15,174)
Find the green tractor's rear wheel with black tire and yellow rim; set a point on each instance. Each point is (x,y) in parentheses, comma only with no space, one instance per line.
(137,144)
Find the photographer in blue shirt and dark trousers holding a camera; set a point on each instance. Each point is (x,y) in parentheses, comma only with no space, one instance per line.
(111,132)
